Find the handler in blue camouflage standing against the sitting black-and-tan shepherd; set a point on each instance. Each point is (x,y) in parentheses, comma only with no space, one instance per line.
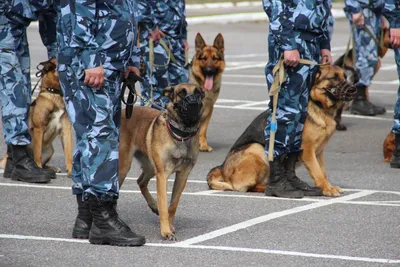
(294,35)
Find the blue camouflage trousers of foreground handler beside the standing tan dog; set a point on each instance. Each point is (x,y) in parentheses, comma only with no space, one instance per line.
(96,117)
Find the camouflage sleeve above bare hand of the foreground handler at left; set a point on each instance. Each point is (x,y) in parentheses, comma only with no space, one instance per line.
(83,35)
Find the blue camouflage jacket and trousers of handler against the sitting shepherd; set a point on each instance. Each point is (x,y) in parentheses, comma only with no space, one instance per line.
(303,26)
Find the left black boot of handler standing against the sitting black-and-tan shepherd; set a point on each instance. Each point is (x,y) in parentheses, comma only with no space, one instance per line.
(278,185)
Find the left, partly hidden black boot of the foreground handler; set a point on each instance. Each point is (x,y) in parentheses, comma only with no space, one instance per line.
(83,221)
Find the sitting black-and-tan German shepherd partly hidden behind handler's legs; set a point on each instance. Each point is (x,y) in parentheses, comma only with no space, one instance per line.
(246,165)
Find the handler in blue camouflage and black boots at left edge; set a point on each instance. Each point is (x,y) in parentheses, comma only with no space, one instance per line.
(15,81)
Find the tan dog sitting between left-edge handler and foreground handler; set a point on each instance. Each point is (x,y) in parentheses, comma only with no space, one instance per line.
(47,120)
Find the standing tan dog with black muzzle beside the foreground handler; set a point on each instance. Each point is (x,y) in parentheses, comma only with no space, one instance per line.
(164,143)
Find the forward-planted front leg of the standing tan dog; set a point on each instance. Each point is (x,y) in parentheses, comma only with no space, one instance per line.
(162,204)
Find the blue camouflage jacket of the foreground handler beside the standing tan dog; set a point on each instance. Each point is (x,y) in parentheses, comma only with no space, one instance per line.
(99,33)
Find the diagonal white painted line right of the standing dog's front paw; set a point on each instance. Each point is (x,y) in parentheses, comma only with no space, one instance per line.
(268,217)
